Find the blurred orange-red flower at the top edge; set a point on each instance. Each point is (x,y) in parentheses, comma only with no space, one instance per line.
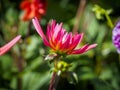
(33,8)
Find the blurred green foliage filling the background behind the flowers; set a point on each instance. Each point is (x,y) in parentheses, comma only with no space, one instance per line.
(98,69)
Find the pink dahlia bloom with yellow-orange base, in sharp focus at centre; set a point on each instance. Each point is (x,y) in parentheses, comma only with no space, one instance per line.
(60,41)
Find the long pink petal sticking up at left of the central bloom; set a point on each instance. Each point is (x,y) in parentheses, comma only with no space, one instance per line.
(39,30)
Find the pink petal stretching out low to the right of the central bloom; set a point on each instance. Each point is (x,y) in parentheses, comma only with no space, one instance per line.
(83,49)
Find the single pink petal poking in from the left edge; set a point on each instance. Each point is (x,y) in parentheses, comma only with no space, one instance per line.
(6,47)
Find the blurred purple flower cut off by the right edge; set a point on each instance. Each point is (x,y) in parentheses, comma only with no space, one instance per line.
(116,37)
